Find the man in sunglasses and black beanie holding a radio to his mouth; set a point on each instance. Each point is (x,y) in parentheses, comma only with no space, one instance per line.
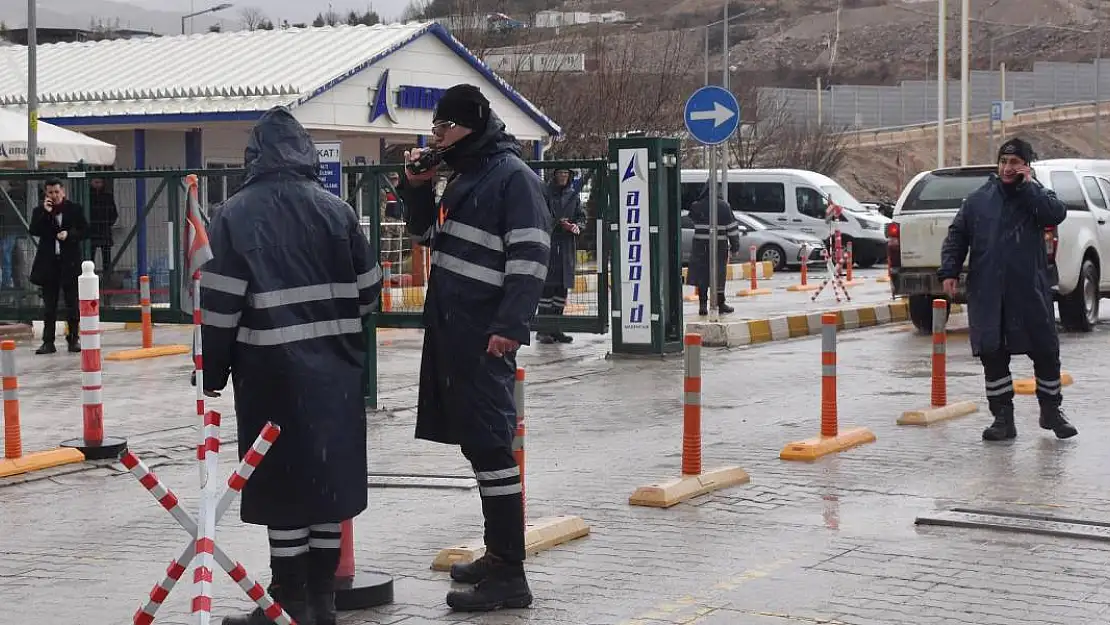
(489,264)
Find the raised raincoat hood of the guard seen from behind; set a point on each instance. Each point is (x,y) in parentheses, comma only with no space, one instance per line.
(280,145)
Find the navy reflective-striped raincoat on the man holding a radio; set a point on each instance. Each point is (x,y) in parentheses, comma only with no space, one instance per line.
(489,264)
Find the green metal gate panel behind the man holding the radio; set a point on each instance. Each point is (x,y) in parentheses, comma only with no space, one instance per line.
(406,266)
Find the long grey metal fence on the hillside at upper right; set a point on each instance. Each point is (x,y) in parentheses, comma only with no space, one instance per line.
(915,102)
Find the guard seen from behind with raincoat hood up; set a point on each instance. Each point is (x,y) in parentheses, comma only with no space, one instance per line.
(282,304)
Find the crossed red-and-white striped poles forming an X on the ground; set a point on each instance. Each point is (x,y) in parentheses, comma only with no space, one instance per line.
(235,570)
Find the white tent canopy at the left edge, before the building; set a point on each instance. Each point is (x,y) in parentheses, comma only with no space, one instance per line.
(57,146)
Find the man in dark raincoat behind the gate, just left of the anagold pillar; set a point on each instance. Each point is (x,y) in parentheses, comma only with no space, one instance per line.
(569,219)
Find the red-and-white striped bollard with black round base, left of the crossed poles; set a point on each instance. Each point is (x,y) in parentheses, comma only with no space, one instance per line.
(94,445)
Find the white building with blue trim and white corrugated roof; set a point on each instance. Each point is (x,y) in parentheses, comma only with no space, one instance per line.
(189,102)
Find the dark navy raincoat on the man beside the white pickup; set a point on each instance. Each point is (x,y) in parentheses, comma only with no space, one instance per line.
(1010,285)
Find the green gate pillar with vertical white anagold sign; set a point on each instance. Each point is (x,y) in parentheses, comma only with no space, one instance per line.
(648,294)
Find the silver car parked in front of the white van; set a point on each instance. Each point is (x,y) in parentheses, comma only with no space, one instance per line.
(774,244)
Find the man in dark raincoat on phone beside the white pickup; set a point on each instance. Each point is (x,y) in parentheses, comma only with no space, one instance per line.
(1010,286)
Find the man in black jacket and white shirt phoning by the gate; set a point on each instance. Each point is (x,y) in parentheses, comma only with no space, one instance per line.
(60,226)
